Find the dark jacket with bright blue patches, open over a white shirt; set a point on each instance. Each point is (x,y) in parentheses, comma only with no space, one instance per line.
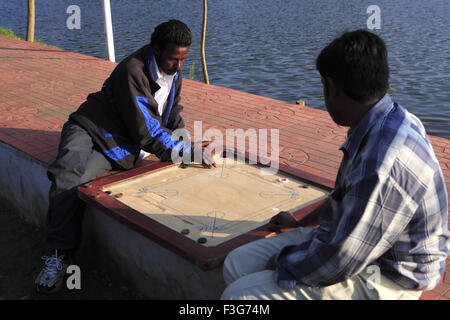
(123,117)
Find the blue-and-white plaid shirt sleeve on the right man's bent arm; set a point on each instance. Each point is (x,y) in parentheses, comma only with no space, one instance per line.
(360,224)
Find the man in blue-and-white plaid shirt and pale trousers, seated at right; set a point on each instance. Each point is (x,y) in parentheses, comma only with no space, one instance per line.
(383,231)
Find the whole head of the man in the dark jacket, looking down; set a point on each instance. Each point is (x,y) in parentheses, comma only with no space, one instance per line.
(170,42)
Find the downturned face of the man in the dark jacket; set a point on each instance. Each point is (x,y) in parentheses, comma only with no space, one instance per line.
(171,58)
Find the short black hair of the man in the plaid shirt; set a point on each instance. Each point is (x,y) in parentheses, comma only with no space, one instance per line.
(358,64)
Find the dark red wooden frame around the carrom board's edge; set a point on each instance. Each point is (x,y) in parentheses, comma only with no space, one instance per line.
(206,258)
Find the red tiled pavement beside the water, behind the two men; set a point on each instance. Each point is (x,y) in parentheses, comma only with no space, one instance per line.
(40,86)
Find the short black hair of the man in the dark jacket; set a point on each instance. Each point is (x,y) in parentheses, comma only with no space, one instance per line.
(172,31)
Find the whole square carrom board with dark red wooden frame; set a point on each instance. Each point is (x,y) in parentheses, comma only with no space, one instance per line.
(202,213)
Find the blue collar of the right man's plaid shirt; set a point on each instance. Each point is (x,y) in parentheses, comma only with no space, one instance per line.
(356,135)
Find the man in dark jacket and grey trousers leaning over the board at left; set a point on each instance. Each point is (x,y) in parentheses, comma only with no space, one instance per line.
(136,110)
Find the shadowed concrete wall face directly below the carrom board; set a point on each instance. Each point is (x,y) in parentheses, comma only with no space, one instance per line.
(152,270)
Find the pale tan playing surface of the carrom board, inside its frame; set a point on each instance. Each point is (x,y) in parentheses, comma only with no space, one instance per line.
(215,204)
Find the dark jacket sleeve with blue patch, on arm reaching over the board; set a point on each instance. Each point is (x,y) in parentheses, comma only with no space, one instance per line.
(135,104)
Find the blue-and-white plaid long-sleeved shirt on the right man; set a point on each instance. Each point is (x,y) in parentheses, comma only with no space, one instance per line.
(388,208)
